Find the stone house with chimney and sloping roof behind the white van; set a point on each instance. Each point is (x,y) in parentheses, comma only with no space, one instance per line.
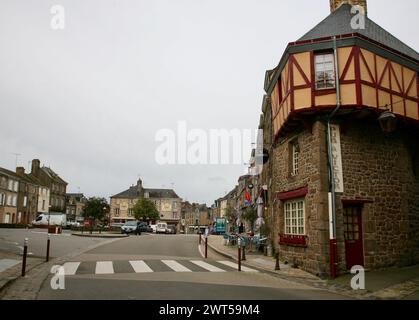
(56,185)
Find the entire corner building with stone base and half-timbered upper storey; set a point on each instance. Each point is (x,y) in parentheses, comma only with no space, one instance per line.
(341,109)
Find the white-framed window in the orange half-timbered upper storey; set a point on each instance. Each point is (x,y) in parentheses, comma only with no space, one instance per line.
(325,71)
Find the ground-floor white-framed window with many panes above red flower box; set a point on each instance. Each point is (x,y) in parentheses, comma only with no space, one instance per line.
(294,217)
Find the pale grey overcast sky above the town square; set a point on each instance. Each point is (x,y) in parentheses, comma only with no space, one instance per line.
(88,100)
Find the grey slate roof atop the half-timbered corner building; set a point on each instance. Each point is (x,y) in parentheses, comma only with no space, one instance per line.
(339,23)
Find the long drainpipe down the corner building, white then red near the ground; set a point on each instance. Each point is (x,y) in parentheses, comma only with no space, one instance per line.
(331,194)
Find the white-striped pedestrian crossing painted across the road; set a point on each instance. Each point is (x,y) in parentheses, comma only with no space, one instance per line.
(149,266)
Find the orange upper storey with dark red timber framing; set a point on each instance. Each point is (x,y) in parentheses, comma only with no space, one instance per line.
(369,73)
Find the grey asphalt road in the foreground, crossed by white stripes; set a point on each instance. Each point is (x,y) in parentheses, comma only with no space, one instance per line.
(168,267)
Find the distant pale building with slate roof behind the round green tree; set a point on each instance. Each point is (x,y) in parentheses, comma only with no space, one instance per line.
(167,203)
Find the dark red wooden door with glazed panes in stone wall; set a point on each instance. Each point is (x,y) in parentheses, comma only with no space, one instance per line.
(354,251)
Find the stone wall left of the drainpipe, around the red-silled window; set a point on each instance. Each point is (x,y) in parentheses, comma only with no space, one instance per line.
(312,173)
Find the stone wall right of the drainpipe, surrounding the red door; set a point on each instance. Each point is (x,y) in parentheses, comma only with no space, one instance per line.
(380,168)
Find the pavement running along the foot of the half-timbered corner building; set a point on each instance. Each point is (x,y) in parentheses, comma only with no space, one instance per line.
(394,283)
